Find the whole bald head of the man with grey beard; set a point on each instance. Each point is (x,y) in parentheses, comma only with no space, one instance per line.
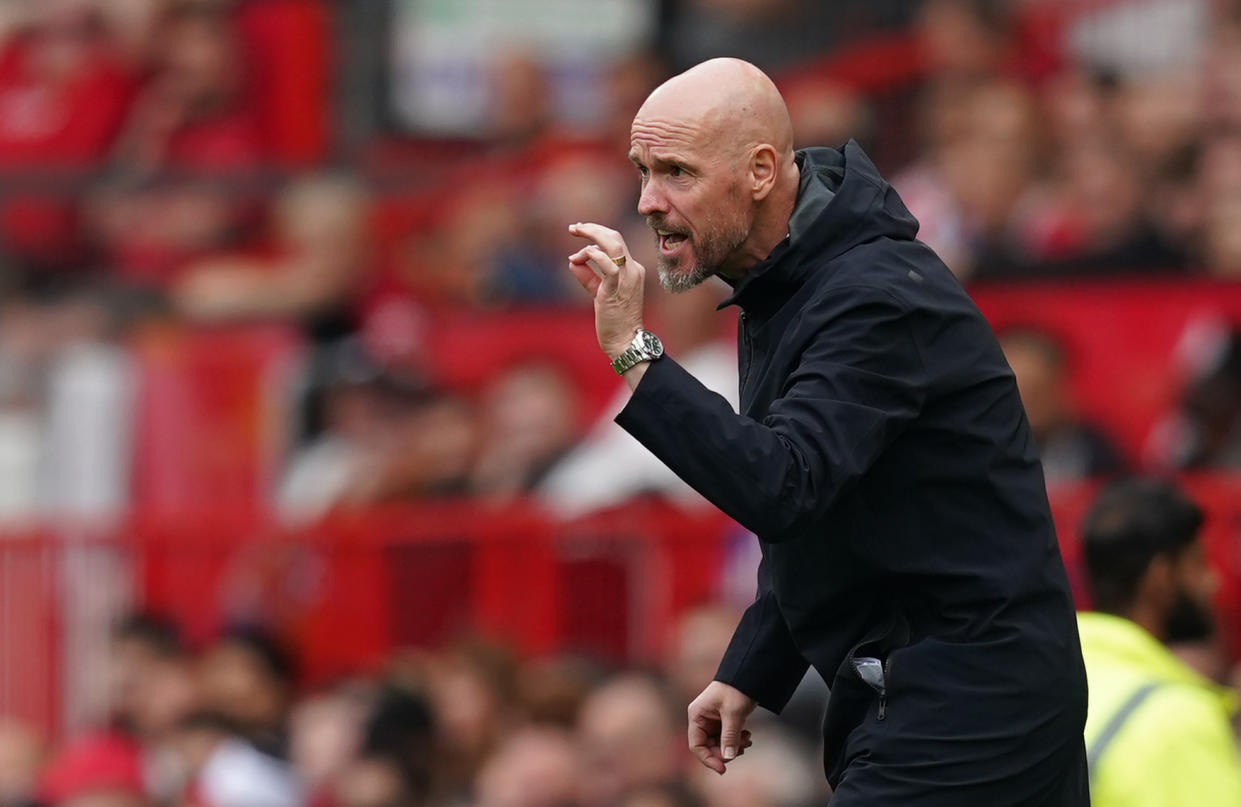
(715,151)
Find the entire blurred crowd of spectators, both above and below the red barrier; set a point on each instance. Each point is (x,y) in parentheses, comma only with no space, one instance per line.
(190,165)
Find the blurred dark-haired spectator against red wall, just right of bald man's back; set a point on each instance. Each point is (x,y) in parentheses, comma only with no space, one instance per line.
(1069,448)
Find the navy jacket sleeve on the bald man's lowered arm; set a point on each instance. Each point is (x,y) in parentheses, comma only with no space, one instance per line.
(761,660)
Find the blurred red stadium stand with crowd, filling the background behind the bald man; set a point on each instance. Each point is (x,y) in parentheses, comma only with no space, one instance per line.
(310,492)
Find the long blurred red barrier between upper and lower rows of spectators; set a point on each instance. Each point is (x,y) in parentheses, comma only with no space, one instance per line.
(349,592)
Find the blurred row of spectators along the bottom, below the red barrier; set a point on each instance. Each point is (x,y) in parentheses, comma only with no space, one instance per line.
(226,727)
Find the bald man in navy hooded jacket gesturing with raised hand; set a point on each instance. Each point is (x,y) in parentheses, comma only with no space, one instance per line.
(882,458)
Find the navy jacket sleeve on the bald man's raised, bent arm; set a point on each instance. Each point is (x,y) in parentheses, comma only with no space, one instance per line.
(858,383)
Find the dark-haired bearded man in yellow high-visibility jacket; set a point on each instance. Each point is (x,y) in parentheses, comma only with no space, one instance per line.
(1157,733)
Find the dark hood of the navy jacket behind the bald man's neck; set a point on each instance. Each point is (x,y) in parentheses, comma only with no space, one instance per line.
(842,202)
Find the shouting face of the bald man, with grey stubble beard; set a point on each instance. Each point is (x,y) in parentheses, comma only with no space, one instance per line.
(692,197)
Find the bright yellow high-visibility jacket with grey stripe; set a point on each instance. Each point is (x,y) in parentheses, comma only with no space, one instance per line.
(1157,733)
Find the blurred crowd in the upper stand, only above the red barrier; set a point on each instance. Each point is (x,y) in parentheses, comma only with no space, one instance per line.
(176,163)
